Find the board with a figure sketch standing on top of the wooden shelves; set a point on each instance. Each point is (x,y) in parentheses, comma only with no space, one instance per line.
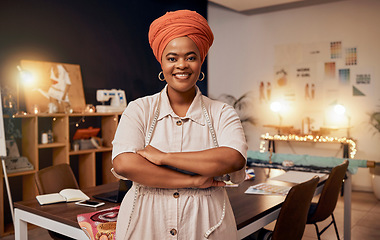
(53,87)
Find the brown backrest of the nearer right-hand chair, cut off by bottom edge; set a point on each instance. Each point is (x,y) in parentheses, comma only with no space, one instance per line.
(292,218)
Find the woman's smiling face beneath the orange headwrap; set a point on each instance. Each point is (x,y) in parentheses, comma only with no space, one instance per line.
(181,65)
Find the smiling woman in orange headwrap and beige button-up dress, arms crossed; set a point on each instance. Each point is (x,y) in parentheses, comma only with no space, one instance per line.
(173,145)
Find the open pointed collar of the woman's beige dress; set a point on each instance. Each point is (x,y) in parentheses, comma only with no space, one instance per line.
(194,112)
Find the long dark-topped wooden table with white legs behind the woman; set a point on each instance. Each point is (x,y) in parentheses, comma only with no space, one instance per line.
(251,211)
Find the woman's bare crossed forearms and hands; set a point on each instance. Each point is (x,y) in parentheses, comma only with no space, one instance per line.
(145,167)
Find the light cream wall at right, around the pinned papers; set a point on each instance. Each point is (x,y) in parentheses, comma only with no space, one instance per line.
(244,54)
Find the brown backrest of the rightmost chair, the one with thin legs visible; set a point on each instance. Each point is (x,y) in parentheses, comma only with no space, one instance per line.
(329,195)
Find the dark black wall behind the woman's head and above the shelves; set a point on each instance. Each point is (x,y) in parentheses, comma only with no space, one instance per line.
(107,38)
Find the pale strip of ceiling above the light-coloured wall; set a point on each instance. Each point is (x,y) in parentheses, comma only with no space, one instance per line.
(261,6)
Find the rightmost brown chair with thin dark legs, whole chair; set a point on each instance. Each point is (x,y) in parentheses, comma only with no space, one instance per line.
(326,204)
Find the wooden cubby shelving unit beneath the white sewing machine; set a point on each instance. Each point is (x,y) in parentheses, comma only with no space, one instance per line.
(32,148)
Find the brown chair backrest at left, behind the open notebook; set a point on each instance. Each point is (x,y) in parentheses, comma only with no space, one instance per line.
(55,178)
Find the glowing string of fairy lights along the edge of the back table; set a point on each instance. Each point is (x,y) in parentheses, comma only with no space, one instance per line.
(311,138)
